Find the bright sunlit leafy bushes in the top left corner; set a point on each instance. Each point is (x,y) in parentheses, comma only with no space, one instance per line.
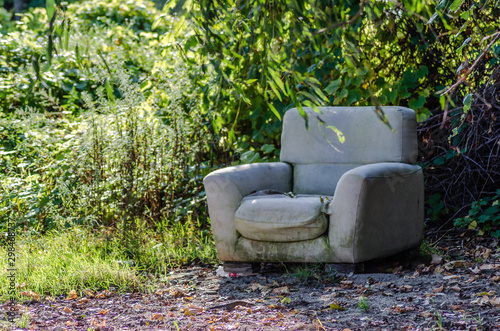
(29,68)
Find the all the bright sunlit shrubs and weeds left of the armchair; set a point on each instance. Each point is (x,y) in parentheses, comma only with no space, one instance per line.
(101,122)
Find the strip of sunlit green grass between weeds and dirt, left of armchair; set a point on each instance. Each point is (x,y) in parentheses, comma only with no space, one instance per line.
(78,259)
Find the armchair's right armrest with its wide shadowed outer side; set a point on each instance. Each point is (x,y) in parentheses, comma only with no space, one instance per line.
(386,202)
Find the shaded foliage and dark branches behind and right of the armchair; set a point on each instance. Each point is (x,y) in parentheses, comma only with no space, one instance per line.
(439,58)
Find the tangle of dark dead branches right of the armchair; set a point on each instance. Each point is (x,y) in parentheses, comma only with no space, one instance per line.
(461,153)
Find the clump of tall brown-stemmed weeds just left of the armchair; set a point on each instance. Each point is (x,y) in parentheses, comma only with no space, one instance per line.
(138,155)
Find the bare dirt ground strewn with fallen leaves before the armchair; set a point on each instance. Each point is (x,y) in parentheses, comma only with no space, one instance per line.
(457,289)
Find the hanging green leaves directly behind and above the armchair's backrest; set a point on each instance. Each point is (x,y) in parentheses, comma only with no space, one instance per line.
(270,56)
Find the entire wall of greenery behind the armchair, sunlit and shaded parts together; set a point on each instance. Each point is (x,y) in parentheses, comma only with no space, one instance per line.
(112,111)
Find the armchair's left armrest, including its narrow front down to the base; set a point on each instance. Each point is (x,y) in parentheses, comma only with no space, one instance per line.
(226,187)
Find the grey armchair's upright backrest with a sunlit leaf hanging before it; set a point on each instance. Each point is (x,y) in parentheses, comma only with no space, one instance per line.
(319,158)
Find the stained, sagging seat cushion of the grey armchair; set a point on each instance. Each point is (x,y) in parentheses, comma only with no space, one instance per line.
(281,218)
